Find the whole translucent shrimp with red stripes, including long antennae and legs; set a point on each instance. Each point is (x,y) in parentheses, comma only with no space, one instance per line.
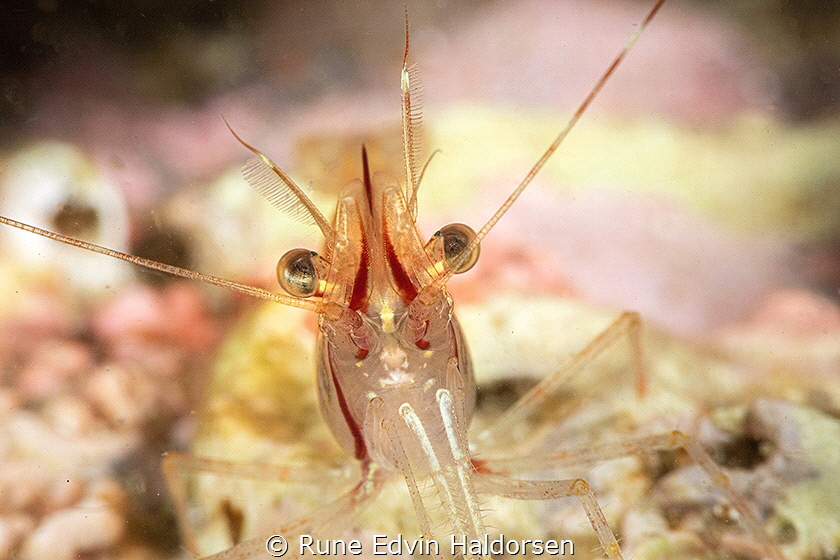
(395,380)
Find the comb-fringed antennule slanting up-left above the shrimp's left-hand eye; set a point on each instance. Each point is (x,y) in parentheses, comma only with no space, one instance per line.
(277,187)
